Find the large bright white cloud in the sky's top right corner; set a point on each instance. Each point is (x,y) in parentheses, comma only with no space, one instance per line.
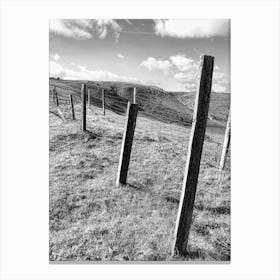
(192,28)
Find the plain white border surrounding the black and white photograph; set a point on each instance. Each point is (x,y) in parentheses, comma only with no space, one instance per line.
(255,140)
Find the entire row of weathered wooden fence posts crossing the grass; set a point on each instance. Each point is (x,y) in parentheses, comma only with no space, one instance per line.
(199,122)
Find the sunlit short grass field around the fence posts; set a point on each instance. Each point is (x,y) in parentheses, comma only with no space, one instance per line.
(90,219)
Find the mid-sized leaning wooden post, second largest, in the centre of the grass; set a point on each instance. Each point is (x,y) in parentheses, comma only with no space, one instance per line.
(130,123)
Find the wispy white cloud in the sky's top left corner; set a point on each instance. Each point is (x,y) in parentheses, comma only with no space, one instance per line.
(83,29)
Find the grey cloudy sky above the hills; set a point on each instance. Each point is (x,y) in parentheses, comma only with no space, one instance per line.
(158,52)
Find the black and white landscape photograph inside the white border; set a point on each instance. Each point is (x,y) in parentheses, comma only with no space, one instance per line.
(139,140)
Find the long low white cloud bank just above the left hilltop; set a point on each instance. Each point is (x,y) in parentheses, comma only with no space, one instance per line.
(82,73)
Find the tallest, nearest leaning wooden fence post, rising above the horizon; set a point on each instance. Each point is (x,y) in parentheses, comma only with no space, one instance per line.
(185,211)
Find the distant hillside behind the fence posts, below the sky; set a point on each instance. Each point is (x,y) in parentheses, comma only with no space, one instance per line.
(154,102)
